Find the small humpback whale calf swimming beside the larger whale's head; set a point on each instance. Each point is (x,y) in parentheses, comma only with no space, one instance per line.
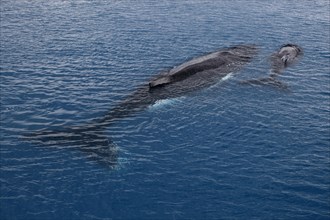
(284,57)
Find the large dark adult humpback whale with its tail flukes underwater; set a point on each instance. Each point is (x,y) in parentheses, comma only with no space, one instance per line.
(191,76)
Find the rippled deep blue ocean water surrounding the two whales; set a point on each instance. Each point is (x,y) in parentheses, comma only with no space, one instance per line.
(231,151)
